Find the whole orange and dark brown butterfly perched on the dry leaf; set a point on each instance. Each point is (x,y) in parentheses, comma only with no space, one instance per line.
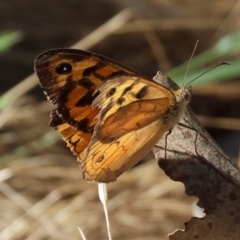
(109,115)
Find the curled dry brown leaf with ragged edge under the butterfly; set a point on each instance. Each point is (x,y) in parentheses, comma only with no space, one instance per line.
(193,158)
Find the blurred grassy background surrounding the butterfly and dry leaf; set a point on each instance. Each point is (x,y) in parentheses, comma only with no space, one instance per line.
(42,194)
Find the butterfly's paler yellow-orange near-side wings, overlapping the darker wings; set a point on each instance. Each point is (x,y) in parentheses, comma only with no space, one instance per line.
(127,129)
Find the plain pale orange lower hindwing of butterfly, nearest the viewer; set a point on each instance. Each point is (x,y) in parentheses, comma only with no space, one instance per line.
(104,162)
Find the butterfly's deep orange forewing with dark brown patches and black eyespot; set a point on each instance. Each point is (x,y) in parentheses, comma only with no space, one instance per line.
(71,92)
